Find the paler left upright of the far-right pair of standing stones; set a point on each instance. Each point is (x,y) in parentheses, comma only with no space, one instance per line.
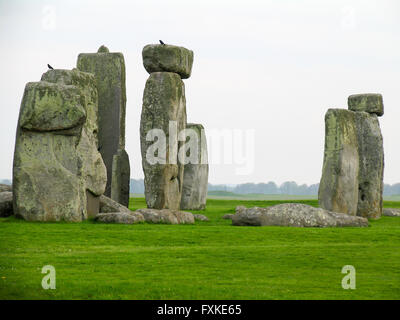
(338,190)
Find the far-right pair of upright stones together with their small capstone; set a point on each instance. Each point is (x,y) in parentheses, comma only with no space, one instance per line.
(353,184)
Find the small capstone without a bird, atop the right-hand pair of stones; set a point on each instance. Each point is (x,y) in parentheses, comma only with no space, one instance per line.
(367,102)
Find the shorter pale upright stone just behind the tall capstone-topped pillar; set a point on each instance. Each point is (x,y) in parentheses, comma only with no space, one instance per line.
(195,178)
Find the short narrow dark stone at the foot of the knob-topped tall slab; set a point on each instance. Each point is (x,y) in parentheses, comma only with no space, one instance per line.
(120,178)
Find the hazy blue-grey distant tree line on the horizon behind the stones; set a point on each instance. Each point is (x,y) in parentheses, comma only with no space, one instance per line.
(289,187)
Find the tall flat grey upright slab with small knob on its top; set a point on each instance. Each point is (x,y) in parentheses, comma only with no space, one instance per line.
(109,71)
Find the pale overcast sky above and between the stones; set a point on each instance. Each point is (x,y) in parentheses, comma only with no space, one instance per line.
(274,67)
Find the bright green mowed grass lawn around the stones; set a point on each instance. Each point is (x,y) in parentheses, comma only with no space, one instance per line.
(208,260)
